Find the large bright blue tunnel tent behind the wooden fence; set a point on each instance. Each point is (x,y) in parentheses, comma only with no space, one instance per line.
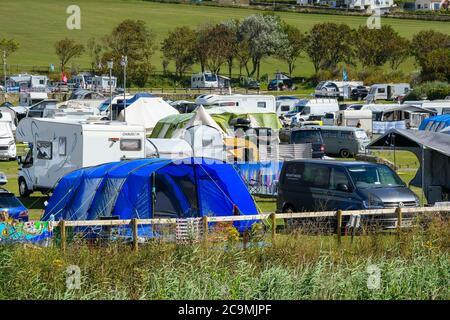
(151,188)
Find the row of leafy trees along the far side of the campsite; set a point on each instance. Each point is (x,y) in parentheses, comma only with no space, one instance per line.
(245,43)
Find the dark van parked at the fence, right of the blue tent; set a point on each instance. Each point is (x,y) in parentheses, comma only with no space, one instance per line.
(322,185)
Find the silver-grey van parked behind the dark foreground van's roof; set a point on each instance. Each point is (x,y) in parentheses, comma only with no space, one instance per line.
(344,141)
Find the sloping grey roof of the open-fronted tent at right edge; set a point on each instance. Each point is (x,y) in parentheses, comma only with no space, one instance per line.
(411,138)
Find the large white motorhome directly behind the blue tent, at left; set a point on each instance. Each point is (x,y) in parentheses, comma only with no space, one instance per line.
(57,147)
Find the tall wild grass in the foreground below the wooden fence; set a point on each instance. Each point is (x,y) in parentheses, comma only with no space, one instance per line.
(414,266)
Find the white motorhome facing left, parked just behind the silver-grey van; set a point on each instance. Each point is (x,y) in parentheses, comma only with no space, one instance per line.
(312,108)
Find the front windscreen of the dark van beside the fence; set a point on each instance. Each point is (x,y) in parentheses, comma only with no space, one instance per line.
(374,176)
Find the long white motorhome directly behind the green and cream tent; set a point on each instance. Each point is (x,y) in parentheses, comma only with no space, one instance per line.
(239,102)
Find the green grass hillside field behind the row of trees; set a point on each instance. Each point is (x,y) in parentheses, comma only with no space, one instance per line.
(38,24)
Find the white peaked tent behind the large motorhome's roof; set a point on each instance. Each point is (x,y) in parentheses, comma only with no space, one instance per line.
(146,111)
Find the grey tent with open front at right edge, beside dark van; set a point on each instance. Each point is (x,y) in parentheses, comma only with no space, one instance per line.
(433,151)
